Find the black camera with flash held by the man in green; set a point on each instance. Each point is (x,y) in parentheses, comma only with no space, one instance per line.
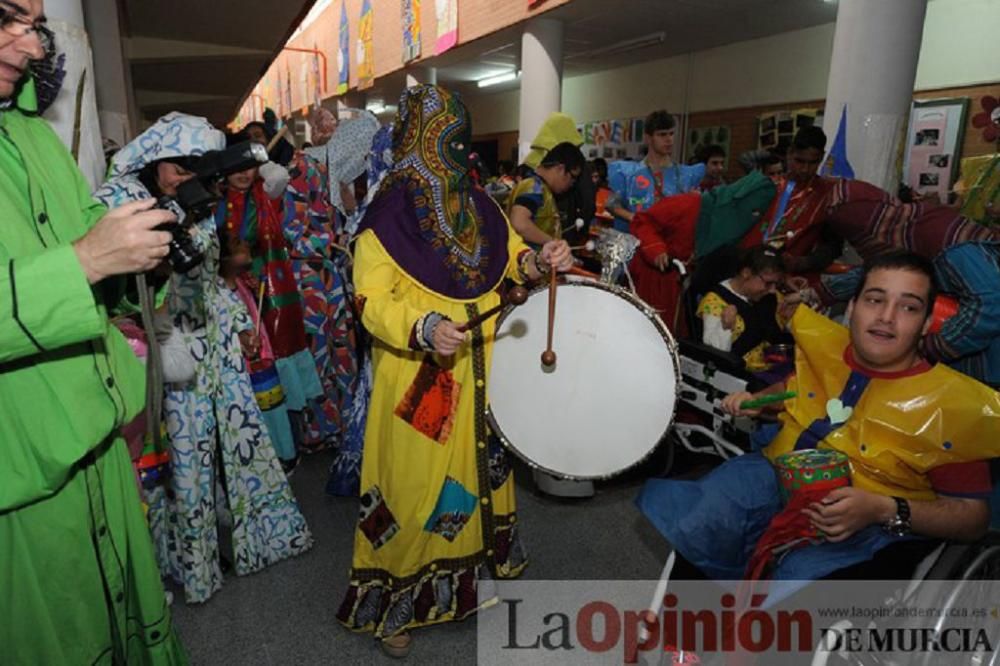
(197,197)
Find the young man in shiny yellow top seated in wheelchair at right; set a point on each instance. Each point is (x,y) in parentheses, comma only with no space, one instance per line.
(917,436)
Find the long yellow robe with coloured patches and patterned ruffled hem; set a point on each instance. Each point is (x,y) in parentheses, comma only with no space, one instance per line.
(437,506)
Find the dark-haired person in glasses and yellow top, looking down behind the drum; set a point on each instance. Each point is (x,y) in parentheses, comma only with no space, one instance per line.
(532,210)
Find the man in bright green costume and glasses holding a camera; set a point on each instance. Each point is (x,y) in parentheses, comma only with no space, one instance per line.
(80,582)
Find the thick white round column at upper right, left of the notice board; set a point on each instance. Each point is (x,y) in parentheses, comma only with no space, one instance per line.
(876,47)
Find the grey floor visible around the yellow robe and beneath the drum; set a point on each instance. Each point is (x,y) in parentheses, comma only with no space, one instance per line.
(285,614)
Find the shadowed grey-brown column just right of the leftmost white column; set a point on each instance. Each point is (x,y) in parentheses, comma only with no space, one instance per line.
(114,89)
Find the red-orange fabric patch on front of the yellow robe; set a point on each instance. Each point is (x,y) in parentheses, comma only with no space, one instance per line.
(430,403)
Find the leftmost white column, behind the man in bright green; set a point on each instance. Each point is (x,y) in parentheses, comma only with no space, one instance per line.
(74,114)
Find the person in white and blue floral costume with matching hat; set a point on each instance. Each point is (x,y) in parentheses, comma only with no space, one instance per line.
(215,416)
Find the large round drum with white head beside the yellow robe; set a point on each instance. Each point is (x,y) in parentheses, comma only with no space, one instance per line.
(609,399)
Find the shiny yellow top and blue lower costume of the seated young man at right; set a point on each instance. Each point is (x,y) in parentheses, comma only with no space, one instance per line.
(917,434)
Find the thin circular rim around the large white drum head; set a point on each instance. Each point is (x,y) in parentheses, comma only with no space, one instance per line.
(672,347)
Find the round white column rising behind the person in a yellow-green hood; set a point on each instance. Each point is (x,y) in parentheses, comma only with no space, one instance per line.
(541,78)
